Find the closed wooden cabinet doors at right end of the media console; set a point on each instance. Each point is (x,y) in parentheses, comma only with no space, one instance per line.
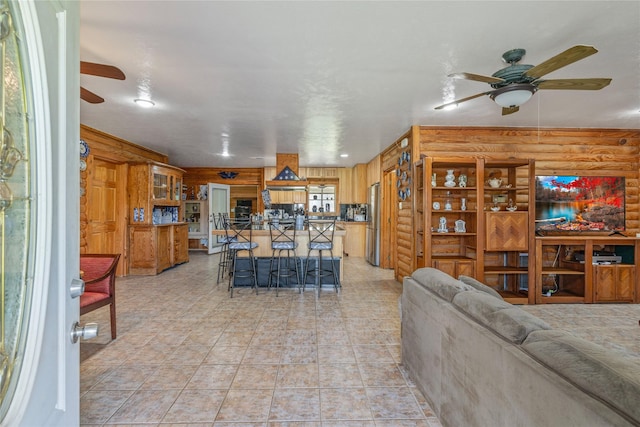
(614,283)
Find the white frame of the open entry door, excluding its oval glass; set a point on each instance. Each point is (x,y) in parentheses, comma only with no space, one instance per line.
(47,390)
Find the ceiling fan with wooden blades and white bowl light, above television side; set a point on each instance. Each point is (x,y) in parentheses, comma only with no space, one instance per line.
(514,85)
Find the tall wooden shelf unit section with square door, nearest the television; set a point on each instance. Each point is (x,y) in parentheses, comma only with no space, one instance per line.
(509,211)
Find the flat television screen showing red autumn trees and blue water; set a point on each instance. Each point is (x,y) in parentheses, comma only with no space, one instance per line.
(580,203)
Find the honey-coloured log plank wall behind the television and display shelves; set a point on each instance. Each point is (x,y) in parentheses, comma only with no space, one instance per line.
(607,152)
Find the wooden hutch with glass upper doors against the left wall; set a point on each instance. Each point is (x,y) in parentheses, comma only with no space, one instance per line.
(158,237)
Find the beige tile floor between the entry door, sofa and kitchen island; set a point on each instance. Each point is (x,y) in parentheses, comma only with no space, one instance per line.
(187,354)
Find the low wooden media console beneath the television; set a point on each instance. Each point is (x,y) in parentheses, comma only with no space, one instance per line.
(566,273)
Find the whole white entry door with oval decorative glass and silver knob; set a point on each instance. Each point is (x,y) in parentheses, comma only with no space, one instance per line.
(39,212)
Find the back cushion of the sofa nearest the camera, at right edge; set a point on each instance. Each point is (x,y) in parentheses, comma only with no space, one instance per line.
(593,368)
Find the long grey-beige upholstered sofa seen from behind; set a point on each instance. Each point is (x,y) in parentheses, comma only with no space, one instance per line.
(481,361)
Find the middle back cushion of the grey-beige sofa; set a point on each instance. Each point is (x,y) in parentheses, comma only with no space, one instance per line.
(511,323)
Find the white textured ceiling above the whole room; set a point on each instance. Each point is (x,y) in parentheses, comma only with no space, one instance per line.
(325,78)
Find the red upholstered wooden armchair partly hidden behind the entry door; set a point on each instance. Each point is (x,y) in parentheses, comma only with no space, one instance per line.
(99,275)
